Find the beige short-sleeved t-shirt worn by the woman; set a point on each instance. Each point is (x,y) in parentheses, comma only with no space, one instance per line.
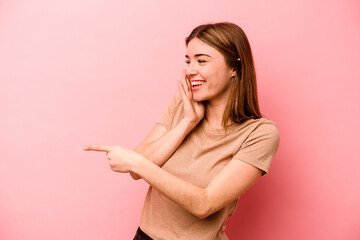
(201,156)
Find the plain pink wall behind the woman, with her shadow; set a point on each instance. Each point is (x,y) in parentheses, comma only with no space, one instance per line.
(76,72)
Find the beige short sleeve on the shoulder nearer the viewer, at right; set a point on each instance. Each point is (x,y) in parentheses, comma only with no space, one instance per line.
(260,147)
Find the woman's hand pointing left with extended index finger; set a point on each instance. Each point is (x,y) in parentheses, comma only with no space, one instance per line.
(120,159)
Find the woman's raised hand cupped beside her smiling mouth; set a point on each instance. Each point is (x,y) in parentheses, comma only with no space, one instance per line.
(194,111)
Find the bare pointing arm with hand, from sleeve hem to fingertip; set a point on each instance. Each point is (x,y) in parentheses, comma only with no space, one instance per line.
(231,182)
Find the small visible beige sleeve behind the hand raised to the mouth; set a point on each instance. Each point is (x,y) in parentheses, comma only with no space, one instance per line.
(168,115)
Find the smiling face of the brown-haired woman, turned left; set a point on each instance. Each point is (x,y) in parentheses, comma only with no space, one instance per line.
(209,75)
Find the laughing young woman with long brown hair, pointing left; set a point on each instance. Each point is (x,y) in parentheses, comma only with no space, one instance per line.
(209,146)
